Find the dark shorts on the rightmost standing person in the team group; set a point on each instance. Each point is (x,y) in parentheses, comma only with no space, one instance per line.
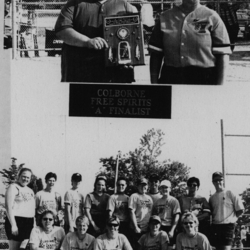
(222,234)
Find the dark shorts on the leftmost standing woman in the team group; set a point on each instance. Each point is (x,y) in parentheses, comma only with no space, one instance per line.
(24,226)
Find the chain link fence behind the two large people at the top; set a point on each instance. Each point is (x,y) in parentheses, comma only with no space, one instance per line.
(33,23)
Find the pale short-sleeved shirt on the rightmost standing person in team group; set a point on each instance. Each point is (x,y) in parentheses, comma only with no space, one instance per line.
(224,206)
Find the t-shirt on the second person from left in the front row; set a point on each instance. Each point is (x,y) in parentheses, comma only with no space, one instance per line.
(71,242)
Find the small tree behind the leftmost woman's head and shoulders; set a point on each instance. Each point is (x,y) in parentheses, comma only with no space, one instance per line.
(10,176)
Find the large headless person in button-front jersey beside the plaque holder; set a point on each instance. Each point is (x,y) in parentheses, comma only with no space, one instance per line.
(193,42)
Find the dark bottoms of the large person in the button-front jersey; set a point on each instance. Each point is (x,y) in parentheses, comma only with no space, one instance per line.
(188,75)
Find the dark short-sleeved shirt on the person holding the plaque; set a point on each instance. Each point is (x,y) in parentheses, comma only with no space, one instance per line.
(86,17)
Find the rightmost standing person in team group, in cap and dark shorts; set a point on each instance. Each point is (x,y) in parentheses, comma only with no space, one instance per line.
(226,208)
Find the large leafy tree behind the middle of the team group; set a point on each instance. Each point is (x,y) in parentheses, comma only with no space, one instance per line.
(143,161)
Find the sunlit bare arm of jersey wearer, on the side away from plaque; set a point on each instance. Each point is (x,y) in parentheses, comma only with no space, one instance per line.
(222,62)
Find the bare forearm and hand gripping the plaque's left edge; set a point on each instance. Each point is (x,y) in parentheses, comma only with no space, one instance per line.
(74,38)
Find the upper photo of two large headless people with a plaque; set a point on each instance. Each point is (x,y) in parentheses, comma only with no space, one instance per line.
(131,41)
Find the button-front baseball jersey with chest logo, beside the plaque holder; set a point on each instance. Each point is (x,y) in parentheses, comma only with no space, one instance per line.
(191,40)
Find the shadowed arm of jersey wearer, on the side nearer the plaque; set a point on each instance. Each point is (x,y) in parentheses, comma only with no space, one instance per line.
(155,65)
